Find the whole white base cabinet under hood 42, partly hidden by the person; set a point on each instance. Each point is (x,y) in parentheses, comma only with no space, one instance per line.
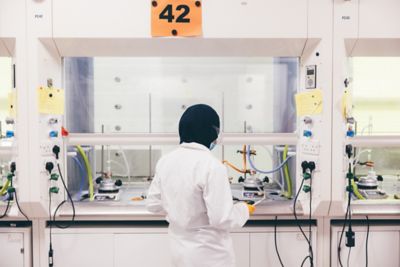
(136,246)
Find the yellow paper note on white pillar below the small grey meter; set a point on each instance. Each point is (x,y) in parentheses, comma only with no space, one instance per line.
(309,102)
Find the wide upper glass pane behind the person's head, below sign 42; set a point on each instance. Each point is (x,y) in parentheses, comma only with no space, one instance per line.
(149,94)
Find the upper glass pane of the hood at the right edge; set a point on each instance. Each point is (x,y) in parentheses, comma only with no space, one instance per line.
(376,95)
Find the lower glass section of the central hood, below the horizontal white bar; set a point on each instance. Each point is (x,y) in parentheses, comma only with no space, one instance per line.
(134,166)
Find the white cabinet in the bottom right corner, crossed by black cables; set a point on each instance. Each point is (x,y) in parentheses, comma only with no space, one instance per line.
(383,247)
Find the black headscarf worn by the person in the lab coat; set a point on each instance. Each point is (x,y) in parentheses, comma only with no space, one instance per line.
(199,124)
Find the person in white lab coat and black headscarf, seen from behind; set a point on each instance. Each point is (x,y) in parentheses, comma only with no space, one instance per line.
(191,188)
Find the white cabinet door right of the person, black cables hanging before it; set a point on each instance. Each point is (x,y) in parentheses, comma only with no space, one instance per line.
(291,244)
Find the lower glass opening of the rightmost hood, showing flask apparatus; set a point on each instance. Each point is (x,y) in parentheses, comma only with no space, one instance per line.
(378,172)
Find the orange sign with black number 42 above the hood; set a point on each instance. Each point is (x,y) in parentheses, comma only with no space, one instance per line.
(176,18)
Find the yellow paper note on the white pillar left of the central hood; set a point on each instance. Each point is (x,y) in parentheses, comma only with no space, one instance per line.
(50,100)
